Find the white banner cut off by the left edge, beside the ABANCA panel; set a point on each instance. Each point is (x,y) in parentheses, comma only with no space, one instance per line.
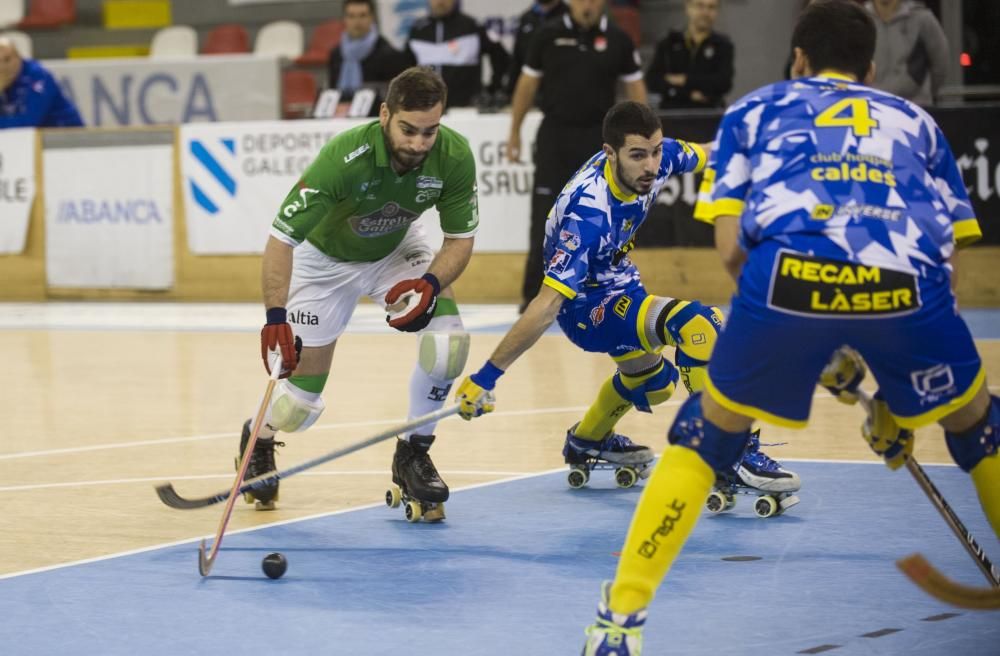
(17,187)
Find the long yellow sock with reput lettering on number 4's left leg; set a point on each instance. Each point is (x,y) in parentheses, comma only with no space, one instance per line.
(667,512)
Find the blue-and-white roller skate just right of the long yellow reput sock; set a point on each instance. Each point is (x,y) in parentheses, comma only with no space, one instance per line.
(756,474)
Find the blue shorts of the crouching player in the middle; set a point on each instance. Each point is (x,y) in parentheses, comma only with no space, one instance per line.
(607,324)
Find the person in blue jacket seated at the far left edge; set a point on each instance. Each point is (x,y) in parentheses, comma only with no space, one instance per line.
(29,95)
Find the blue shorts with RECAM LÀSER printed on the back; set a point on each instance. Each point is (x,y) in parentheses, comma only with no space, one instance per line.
(792,311)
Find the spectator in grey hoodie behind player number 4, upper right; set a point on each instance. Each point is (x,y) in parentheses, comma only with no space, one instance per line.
(909,45)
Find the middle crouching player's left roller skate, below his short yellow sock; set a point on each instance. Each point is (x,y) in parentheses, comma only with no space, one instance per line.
(629,460)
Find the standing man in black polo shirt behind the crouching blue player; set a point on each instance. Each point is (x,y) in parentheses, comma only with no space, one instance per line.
(576,61)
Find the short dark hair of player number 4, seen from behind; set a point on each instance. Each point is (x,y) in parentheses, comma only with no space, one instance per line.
(836,34)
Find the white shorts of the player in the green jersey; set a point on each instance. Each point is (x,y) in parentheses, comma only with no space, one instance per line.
(324,291)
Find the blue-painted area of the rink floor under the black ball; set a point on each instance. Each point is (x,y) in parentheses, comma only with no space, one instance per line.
(516,570)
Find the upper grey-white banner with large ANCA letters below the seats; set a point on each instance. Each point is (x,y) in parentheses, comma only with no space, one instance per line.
(140,91)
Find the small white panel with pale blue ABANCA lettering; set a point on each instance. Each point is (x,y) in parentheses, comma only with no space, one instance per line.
(109,220)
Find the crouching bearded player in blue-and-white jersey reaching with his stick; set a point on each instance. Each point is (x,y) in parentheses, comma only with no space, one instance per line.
(593,289)
